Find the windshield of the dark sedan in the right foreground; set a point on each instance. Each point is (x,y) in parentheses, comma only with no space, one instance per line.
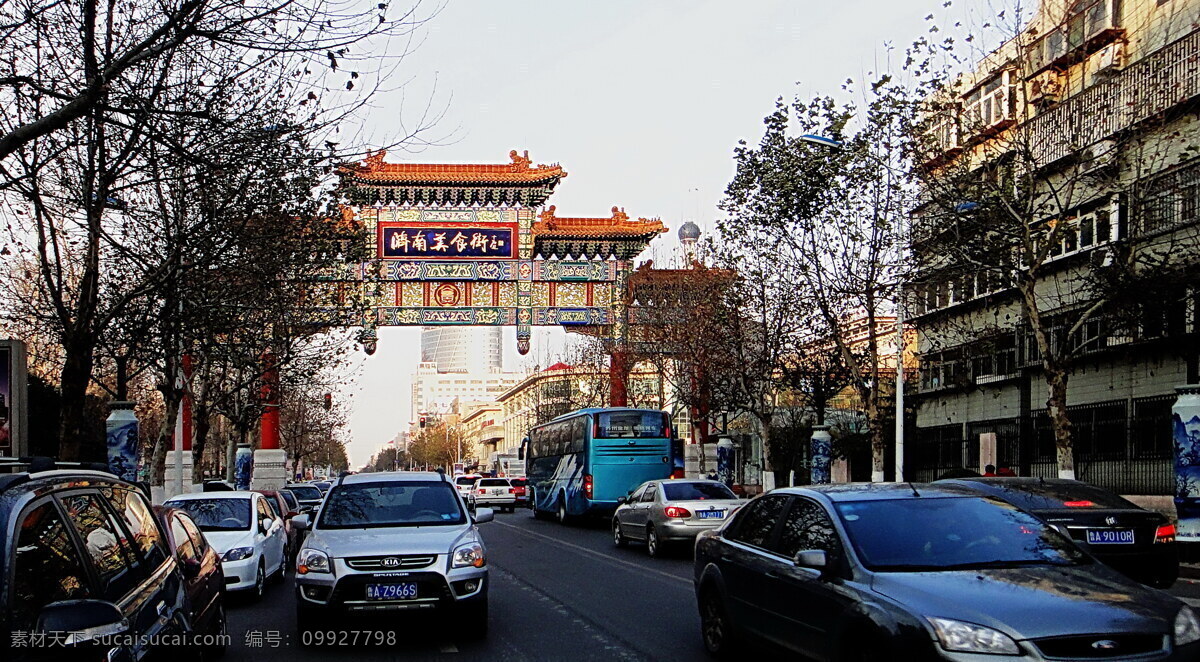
(952,534)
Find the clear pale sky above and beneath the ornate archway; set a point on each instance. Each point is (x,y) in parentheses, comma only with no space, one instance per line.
(641,101)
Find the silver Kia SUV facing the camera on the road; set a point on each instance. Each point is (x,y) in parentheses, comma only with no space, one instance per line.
(393,543)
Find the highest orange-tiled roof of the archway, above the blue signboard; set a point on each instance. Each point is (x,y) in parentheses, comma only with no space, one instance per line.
(375,171)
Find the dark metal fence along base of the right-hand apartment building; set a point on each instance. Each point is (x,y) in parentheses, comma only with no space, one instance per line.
(1119,446)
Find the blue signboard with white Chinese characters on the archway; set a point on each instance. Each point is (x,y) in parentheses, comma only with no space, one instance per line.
(448,240)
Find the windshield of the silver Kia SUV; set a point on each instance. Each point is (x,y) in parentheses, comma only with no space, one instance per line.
(392,504)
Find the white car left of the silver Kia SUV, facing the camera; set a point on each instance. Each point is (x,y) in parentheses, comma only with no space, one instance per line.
(242,527)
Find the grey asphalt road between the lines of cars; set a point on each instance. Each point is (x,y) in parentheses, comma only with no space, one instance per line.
(559,593)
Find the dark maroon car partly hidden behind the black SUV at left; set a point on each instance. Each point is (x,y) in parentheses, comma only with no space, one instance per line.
(203,577)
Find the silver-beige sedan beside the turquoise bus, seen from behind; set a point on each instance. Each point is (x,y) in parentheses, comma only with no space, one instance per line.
(668,513)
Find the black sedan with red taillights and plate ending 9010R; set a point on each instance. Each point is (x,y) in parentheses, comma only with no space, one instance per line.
(1137,543)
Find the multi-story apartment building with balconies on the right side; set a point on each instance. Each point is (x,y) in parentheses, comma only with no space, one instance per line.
(1087,122)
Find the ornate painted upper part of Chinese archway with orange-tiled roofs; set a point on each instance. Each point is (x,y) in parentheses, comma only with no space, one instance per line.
(476,245)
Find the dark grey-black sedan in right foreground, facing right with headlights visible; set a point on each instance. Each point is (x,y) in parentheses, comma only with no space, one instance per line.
(887,571)
